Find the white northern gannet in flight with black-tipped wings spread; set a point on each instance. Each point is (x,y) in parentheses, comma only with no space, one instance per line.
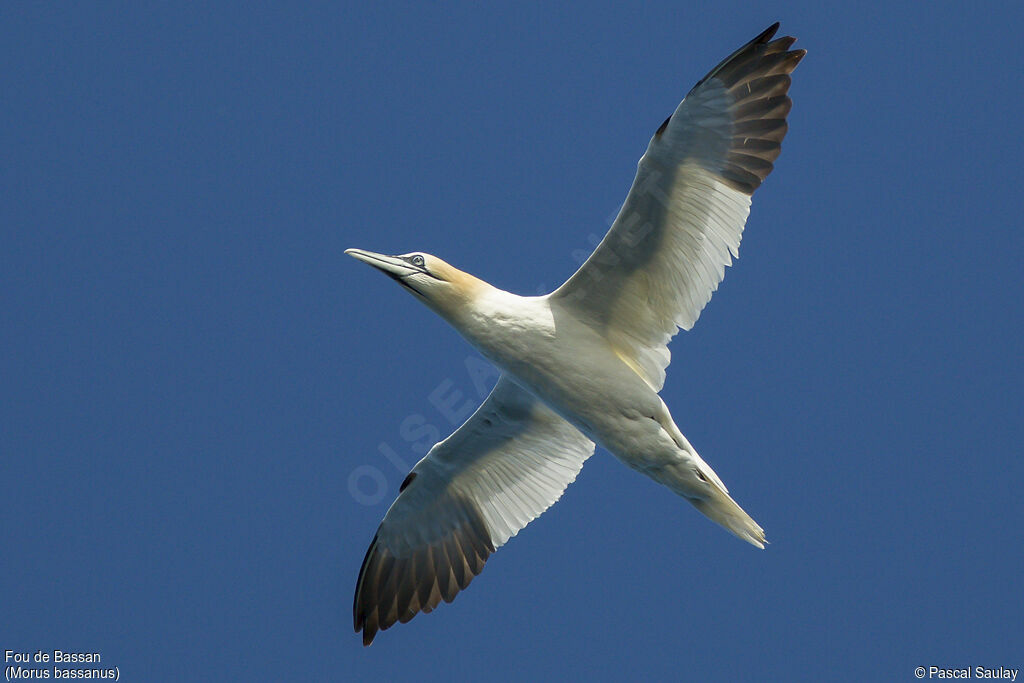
(584,364)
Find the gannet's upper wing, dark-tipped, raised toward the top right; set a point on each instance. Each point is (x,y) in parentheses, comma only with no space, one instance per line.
(681,224)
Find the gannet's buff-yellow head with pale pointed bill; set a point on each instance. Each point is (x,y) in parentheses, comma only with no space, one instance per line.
(444,288)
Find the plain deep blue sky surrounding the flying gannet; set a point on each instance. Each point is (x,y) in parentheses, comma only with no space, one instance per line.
(202,400)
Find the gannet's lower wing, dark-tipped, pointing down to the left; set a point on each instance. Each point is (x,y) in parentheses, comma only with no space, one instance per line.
(473,492)
